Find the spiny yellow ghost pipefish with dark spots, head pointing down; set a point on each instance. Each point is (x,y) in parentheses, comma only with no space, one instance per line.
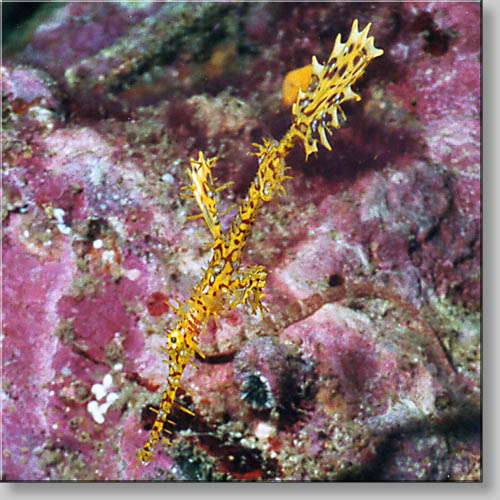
(224,284)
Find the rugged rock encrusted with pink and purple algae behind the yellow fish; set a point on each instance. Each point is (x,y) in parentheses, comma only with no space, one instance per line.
(367,365)
